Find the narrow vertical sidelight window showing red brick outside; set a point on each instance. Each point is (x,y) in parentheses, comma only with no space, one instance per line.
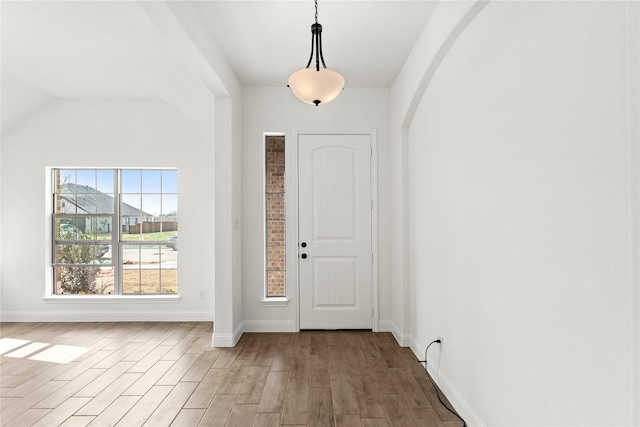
(275,216)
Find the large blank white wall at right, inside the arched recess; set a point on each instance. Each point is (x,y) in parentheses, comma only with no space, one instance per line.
(522,254)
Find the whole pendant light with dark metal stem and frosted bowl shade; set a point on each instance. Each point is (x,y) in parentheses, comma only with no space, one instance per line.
(316,85)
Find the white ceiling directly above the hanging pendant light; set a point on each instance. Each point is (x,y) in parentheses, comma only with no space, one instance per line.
(265,41)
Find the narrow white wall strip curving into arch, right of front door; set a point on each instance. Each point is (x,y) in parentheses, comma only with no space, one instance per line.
(448,21)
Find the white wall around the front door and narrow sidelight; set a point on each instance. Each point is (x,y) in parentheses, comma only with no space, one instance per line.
(277,110)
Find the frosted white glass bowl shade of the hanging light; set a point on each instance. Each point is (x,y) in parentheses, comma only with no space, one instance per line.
(316,87)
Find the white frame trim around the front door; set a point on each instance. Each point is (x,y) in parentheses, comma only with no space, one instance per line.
(292,229)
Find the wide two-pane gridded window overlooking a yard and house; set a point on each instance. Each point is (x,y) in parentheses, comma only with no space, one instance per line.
(136,256)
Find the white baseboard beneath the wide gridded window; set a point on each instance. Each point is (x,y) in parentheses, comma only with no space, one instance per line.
(107,316)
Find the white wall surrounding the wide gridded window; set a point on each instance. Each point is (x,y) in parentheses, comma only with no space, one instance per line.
(103,133)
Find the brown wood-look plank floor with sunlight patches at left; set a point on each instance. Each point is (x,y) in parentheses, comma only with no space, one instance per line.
(167,374)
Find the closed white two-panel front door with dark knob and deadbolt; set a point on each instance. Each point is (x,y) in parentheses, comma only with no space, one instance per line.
(335,231)
